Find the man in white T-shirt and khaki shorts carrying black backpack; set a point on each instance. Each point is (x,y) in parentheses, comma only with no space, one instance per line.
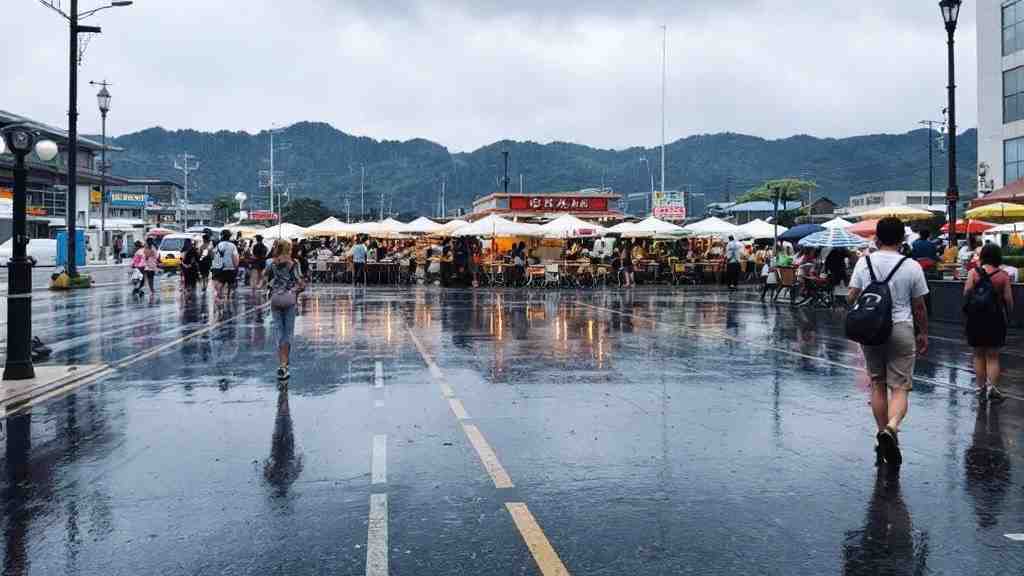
(889,319)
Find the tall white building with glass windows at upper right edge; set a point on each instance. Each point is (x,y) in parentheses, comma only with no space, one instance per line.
(1001,94)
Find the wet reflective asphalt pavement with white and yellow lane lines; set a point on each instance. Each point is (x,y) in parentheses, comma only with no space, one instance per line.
(428,432)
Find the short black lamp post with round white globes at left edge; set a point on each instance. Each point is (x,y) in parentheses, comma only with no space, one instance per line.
(21,140)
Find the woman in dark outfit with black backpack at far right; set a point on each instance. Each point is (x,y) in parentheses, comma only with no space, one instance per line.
(989,299)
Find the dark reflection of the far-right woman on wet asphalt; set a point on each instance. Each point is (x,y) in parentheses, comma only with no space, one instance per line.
(988,468)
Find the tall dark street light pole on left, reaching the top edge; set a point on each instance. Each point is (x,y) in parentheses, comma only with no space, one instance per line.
(73,18)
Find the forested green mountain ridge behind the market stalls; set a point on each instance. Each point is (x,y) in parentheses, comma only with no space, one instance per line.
(318,161)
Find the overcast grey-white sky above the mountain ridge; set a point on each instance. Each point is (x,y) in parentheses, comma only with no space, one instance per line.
(466,73)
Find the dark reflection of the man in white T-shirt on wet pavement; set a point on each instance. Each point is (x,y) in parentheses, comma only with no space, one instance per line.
(886,545)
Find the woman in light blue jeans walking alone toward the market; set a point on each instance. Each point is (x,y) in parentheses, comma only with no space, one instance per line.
(285,284)
